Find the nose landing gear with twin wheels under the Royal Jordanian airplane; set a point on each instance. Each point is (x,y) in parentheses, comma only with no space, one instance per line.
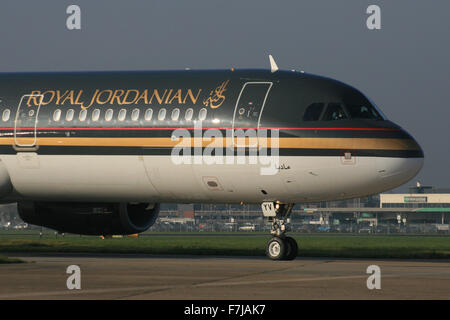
(280,247)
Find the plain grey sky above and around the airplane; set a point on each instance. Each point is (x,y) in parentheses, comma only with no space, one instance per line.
(404,67)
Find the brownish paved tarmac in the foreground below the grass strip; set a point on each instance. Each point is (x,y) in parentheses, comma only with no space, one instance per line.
(205,277)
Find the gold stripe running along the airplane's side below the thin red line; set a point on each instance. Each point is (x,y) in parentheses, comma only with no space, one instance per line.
(294,143)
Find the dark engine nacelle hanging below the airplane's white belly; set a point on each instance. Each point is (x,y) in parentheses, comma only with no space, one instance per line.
(90,218)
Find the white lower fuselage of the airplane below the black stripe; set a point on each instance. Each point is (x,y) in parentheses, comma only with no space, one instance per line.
(134,178)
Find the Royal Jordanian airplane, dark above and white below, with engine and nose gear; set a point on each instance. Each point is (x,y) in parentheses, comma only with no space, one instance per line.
(95,153)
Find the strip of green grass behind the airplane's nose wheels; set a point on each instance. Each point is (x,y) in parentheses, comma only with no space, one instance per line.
(316,245)
